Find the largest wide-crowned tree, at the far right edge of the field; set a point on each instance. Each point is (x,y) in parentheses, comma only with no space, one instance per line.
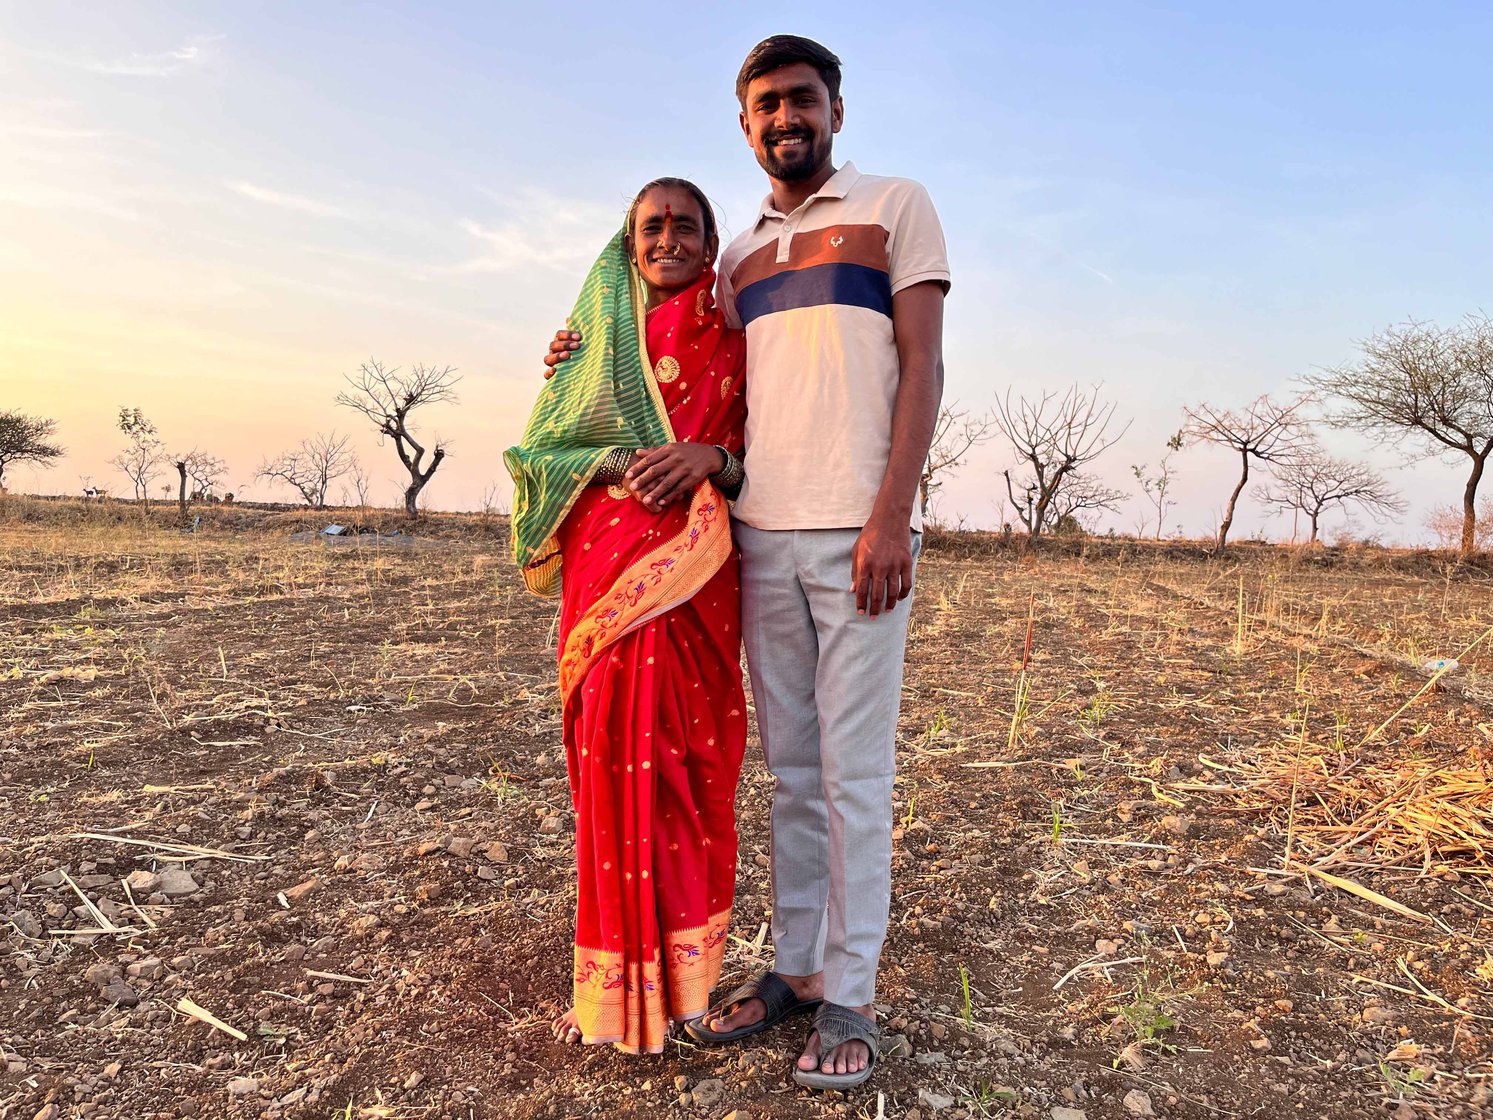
(1428,383)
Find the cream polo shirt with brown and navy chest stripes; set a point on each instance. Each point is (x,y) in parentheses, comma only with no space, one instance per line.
(814,292)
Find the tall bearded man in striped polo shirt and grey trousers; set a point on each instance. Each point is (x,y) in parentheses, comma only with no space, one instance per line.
(840,286)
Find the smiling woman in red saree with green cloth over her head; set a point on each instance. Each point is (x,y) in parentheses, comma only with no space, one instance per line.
(620,508)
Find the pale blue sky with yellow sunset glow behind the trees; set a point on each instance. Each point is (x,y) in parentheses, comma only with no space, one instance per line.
(214,213)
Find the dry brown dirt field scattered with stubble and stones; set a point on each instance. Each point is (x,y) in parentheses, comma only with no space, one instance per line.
(319,791)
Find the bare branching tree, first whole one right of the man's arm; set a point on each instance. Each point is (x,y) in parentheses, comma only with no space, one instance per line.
(1053,438)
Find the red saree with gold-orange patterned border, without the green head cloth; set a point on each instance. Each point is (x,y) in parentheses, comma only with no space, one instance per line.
(655,713)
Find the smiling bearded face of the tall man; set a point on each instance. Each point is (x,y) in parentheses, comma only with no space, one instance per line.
(791,122)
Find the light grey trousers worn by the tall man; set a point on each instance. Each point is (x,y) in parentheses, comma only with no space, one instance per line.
(828,688)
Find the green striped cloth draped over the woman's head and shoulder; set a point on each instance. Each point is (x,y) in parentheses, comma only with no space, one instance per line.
(598,401)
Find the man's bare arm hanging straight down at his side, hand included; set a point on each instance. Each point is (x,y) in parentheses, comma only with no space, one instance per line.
(882,564)
